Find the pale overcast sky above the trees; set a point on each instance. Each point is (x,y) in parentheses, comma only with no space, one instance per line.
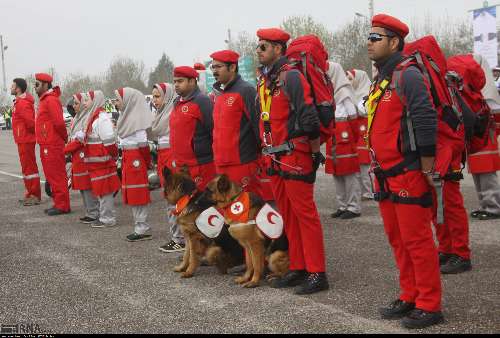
(84,35)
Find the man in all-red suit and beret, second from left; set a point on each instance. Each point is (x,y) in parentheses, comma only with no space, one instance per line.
(51,135)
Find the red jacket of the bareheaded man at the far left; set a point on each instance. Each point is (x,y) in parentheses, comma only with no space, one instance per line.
(23,119)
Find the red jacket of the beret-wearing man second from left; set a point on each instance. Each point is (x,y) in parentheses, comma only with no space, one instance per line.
(50,126)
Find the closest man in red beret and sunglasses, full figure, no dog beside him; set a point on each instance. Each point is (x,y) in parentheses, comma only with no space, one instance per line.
(406,174)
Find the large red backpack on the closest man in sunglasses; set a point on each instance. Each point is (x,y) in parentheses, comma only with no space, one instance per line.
(426,54)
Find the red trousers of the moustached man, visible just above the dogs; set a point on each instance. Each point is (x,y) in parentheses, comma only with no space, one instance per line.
(245,175)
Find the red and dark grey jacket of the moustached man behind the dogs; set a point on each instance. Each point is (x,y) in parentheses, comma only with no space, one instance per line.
(235,139)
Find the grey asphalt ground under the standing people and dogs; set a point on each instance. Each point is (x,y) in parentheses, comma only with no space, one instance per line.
(65,277)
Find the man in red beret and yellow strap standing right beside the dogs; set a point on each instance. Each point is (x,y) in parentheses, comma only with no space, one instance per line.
(290,134)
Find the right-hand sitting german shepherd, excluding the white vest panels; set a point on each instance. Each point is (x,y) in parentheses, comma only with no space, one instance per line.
(257,246)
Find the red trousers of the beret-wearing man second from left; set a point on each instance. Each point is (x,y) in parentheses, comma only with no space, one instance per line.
(54,167)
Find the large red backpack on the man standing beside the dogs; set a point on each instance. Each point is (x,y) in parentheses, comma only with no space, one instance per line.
(308,55)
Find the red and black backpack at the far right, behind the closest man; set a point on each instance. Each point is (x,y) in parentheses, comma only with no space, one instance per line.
(466,77)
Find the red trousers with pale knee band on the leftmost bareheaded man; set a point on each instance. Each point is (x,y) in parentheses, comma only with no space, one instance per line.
(30,170)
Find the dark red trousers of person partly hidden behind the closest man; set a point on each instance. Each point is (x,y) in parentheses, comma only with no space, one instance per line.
(453,235)
